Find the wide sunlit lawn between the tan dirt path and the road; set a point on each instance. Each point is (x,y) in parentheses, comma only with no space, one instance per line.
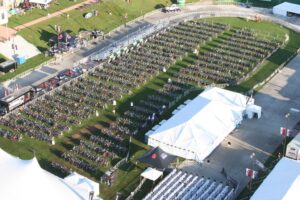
(39,34)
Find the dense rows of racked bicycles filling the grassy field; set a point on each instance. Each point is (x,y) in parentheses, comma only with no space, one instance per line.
(82,98)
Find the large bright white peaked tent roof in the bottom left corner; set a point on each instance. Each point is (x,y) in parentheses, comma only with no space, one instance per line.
(25,179)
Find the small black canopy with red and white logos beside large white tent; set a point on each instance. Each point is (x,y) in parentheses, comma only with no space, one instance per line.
(157,158)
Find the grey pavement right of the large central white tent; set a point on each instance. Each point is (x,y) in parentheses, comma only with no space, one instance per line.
(256,136)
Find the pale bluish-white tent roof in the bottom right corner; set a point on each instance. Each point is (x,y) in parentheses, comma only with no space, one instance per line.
(282,183)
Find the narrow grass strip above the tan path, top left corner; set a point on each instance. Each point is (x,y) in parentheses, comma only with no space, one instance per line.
(36,13)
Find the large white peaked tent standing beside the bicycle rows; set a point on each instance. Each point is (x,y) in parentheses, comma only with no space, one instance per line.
(200,126)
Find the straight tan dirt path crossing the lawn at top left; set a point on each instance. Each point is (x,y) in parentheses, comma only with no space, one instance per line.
(55,14)
